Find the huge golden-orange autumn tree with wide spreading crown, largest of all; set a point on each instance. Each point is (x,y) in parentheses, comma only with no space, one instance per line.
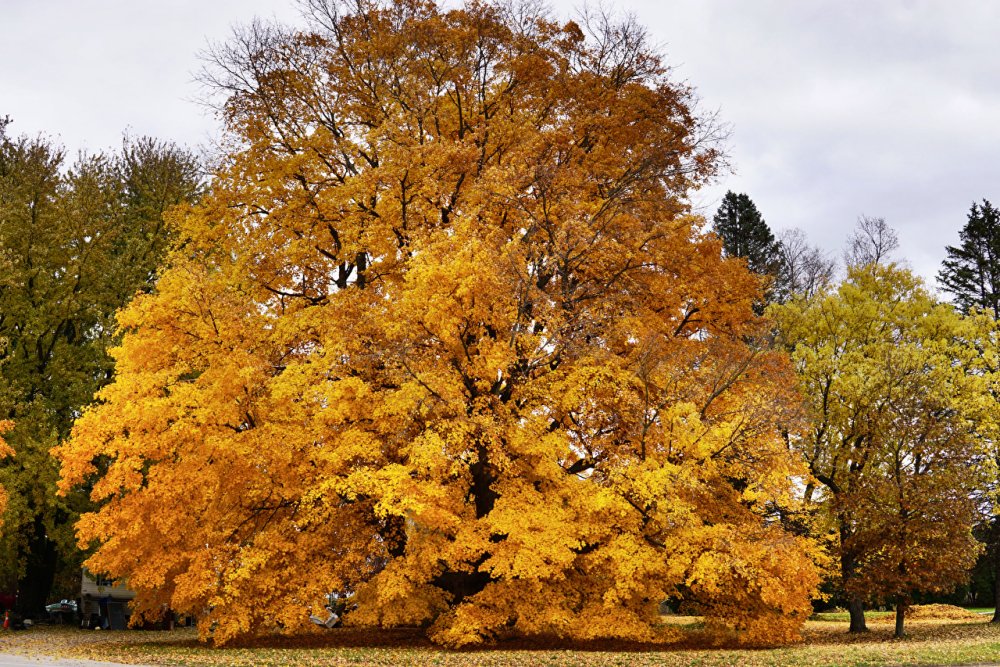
(444,339)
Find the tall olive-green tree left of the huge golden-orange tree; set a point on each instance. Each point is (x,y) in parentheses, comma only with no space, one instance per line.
(77,243)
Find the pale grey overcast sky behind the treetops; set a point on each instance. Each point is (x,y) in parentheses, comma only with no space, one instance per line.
(837,108)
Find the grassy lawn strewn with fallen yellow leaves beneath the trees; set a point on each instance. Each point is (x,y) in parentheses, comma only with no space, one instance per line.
(826,643)
